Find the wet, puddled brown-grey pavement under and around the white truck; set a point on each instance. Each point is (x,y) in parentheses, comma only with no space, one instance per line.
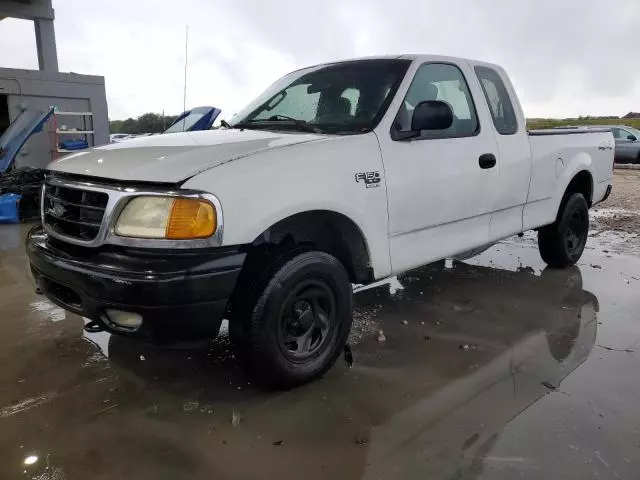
(492,369)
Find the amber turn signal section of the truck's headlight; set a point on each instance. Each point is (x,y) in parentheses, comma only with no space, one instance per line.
(190,218)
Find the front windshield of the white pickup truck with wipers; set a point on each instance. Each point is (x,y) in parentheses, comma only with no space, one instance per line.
(346,97)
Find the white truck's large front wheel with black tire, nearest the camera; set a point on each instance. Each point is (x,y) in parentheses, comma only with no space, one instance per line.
(289,326)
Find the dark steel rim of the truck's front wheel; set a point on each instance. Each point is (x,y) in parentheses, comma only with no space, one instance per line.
(307,320)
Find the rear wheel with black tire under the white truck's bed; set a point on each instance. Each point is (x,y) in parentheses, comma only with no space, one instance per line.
(561,244)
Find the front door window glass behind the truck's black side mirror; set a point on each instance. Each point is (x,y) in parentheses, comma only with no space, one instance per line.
(445,82)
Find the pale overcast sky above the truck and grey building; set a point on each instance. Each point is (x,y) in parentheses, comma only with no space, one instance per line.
(565,57)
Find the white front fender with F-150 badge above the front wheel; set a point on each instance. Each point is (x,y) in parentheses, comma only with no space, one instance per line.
(257,192)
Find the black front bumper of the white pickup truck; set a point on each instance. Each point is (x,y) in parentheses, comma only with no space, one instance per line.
(181,295)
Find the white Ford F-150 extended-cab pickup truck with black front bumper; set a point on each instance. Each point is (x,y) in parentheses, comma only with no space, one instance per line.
(338,174)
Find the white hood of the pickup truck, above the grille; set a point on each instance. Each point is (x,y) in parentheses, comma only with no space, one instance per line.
(174,157)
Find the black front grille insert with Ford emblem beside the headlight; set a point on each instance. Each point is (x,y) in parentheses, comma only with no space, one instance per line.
(74,212)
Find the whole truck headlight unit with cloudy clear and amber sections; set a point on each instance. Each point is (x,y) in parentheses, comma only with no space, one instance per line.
(168,218)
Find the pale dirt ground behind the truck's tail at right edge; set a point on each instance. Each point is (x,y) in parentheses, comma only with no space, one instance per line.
(621,211)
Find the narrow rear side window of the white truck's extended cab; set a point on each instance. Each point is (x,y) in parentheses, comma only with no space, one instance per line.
(502,112)
